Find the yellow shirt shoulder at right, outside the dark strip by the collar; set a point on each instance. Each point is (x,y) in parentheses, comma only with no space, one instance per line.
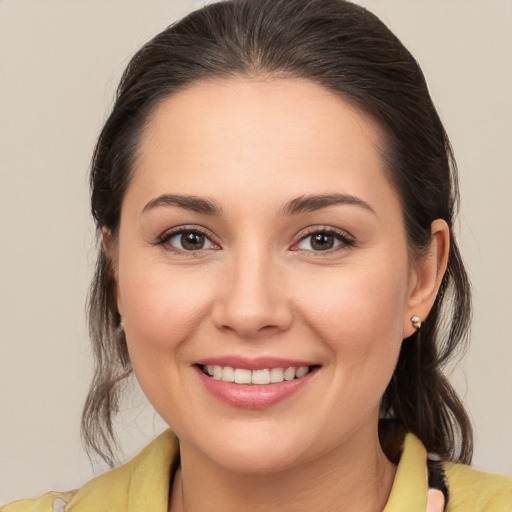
(475,490)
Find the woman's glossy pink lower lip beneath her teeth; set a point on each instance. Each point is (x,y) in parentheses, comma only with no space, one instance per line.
(253,396)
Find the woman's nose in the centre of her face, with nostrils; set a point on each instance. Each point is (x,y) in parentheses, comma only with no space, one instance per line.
(253,299)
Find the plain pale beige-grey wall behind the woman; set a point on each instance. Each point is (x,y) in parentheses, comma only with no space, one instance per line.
(59,64)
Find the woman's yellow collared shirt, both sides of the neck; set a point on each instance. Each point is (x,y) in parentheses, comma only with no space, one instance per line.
(142,485)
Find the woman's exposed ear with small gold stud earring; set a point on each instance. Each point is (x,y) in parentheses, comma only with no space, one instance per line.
(426,275)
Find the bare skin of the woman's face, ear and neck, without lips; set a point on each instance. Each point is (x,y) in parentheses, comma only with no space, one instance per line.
(258,287)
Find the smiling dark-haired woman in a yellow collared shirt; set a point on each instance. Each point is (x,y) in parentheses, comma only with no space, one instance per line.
(275,195)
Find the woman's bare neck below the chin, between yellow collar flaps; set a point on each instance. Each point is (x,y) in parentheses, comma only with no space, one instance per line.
(353,477)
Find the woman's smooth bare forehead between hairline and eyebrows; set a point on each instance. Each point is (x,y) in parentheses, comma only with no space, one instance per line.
(252,136)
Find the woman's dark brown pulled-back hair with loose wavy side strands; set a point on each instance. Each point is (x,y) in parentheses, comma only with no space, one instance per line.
(346,49)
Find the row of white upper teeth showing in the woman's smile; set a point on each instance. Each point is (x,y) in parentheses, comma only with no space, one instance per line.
(260,377)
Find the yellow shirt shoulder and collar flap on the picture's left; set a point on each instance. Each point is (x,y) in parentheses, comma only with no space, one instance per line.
(142,483)
